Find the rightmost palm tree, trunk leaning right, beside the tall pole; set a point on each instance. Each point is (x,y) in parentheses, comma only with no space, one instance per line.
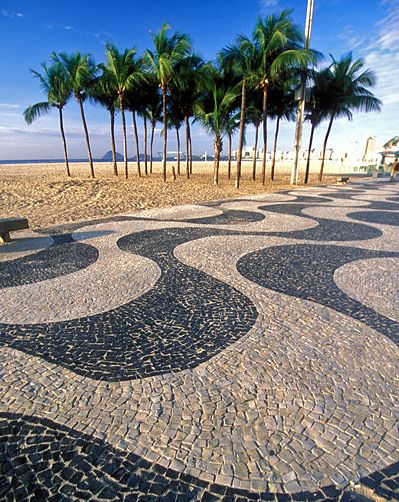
(350,91)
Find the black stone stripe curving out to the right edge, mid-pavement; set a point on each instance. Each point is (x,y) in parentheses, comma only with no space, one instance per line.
(306,271)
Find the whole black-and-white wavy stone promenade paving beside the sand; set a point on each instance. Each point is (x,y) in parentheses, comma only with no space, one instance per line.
(244,349)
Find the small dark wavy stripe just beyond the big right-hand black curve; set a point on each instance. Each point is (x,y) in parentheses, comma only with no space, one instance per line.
(327,230)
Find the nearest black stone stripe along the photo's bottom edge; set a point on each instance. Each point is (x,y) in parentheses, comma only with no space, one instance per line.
(42,460)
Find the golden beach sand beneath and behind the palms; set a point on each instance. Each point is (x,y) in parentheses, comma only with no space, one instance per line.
(43,194)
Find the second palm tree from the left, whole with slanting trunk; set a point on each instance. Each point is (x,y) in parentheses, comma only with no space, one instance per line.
(79,71)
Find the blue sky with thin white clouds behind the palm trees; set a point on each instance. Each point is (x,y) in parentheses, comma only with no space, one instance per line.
(30,31)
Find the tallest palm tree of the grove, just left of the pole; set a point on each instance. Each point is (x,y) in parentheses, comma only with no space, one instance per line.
(278,42)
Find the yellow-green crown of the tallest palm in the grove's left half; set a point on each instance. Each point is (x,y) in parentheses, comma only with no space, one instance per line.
(168,51)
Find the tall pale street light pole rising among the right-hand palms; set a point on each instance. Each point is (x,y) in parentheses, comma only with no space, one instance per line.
(302,98)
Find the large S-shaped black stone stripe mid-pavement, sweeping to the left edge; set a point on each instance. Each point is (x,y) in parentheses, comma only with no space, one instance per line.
(185,319)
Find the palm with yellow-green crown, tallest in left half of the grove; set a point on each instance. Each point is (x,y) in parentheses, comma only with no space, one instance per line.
(168,51)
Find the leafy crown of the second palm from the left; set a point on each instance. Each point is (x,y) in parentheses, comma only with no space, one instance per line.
(79,71)
